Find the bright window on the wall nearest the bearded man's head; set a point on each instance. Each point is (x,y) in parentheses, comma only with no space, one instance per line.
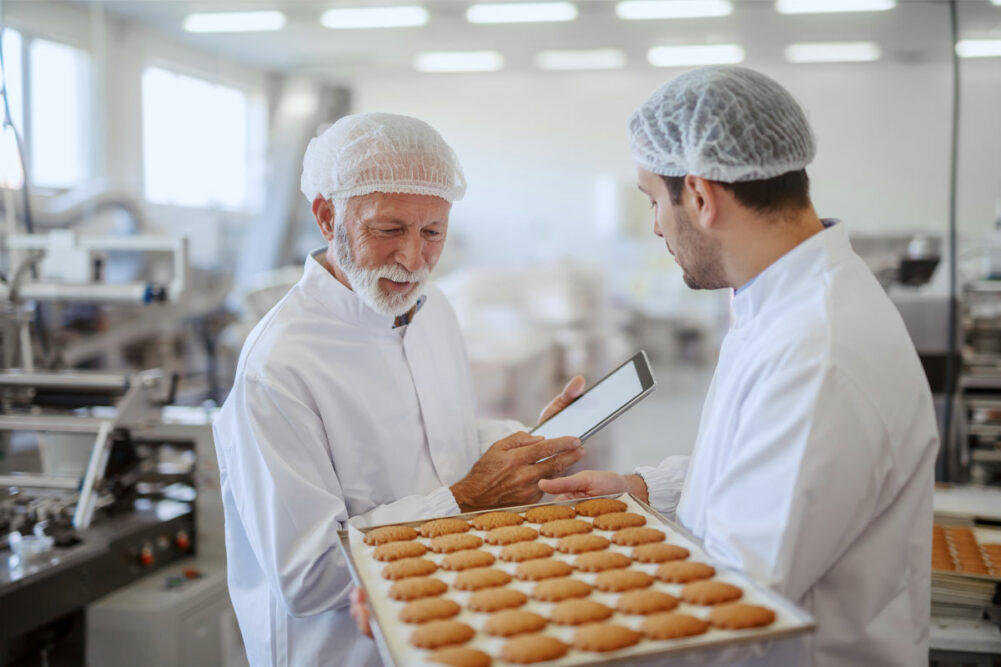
(195,139)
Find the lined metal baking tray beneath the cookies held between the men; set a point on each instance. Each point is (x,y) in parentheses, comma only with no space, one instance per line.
(392,635)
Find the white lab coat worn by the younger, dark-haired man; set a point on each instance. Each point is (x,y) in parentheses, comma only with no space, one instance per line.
(813,468)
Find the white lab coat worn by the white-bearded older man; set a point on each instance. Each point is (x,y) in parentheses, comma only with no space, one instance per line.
(335,415)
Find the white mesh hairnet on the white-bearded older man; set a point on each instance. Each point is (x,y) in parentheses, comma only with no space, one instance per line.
(381,153)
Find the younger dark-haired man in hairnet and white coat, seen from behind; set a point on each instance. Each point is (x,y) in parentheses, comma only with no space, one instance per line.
(813,467)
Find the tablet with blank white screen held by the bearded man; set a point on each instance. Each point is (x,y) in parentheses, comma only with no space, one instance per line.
(604,402)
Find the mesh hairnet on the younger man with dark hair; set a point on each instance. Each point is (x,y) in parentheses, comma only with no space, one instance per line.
(724,124)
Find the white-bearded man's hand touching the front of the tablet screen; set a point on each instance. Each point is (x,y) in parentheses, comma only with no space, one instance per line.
(509,475)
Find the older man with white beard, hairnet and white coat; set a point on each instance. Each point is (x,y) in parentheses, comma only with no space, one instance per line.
(353,398)
